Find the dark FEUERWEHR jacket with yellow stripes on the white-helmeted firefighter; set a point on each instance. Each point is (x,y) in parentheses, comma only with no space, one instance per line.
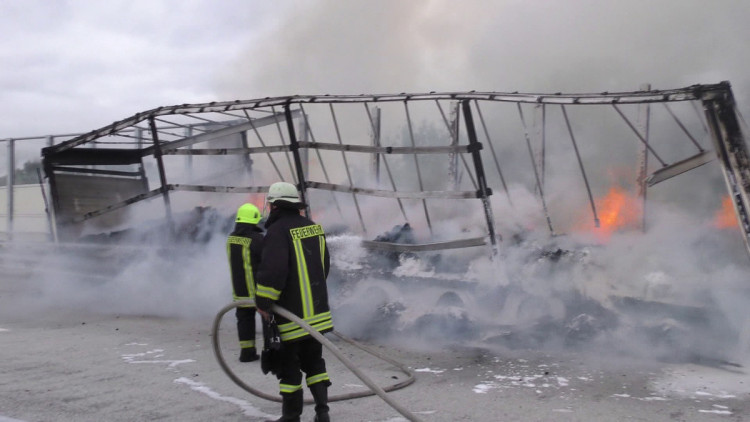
(293,272)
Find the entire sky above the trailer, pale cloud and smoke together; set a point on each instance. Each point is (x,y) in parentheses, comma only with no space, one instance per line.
(76,65)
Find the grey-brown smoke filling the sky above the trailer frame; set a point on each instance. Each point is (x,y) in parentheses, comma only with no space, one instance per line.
(572,46)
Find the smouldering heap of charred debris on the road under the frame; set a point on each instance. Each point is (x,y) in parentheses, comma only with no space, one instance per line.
(467,313)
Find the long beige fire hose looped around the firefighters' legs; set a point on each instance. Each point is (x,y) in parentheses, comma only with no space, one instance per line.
(374,388)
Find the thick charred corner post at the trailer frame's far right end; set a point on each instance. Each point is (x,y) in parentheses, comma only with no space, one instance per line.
(732,152)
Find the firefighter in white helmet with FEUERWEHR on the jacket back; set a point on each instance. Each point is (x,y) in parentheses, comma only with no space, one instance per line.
(293,274)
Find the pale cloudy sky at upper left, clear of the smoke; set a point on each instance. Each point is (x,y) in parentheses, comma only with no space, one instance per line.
(76,65)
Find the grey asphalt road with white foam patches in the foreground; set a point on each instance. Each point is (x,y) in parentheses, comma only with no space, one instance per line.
(70,364)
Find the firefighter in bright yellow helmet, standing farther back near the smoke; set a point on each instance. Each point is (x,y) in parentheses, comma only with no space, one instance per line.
(244,247)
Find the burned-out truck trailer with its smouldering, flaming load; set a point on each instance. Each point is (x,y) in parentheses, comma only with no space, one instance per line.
(478,203)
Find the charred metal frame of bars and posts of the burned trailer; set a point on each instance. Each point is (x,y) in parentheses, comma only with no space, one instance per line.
(242,117)
